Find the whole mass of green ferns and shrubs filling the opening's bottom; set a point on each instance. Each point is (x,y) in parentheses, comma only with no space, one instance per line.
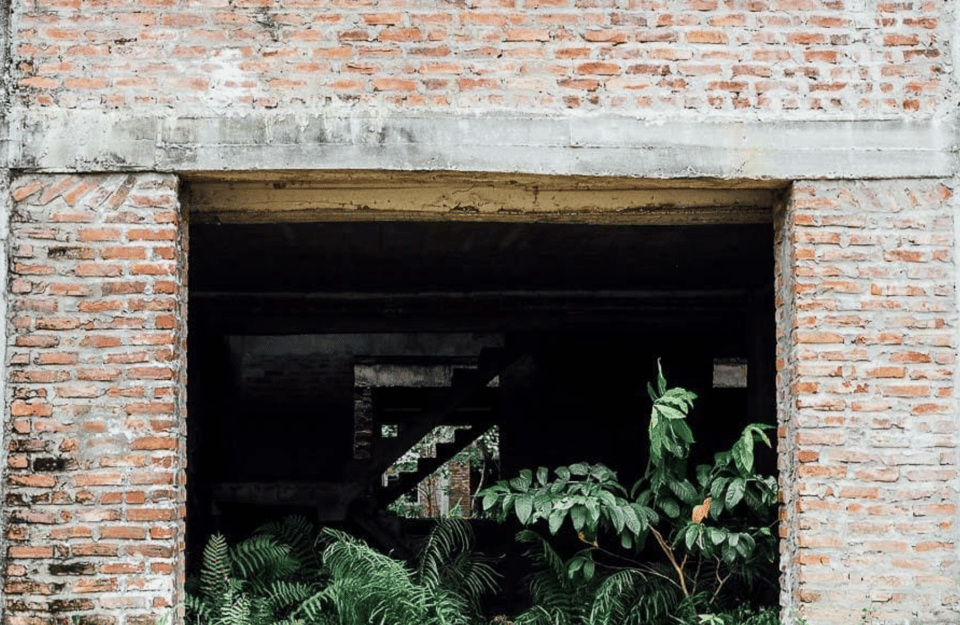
(684,545)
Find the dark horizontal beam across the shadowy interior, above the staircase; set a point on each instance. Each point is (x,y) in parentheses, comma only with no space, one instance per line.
(690,312)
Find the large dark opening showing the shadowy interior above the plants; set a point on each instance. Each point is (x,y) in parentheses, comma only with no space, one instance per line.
(322,354)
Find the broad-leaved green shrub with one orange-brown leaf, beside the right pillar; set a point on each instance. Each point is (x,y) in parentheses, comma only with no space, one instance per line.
(708,525)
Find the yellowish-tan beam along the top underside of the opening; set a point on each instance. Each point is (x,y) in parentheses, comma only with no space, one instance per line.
(403,196)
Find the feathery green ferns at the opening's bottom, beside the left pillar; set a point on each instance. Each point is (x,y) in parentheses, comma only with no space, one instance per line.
(289,573)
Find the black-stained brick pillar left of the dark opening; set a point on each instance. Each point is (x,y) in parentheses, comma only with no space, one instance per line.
(93,480)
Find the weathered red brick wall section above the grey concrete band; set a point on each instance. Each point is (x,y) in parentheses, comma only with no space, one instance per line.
(799,58)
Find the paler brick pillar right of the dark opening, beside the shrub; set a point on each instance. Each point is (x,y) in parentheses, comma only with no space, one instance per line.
(867,343)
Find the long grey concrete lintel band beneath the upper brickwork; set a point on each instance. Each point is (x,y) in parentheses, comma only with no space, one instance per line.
(592,146)
